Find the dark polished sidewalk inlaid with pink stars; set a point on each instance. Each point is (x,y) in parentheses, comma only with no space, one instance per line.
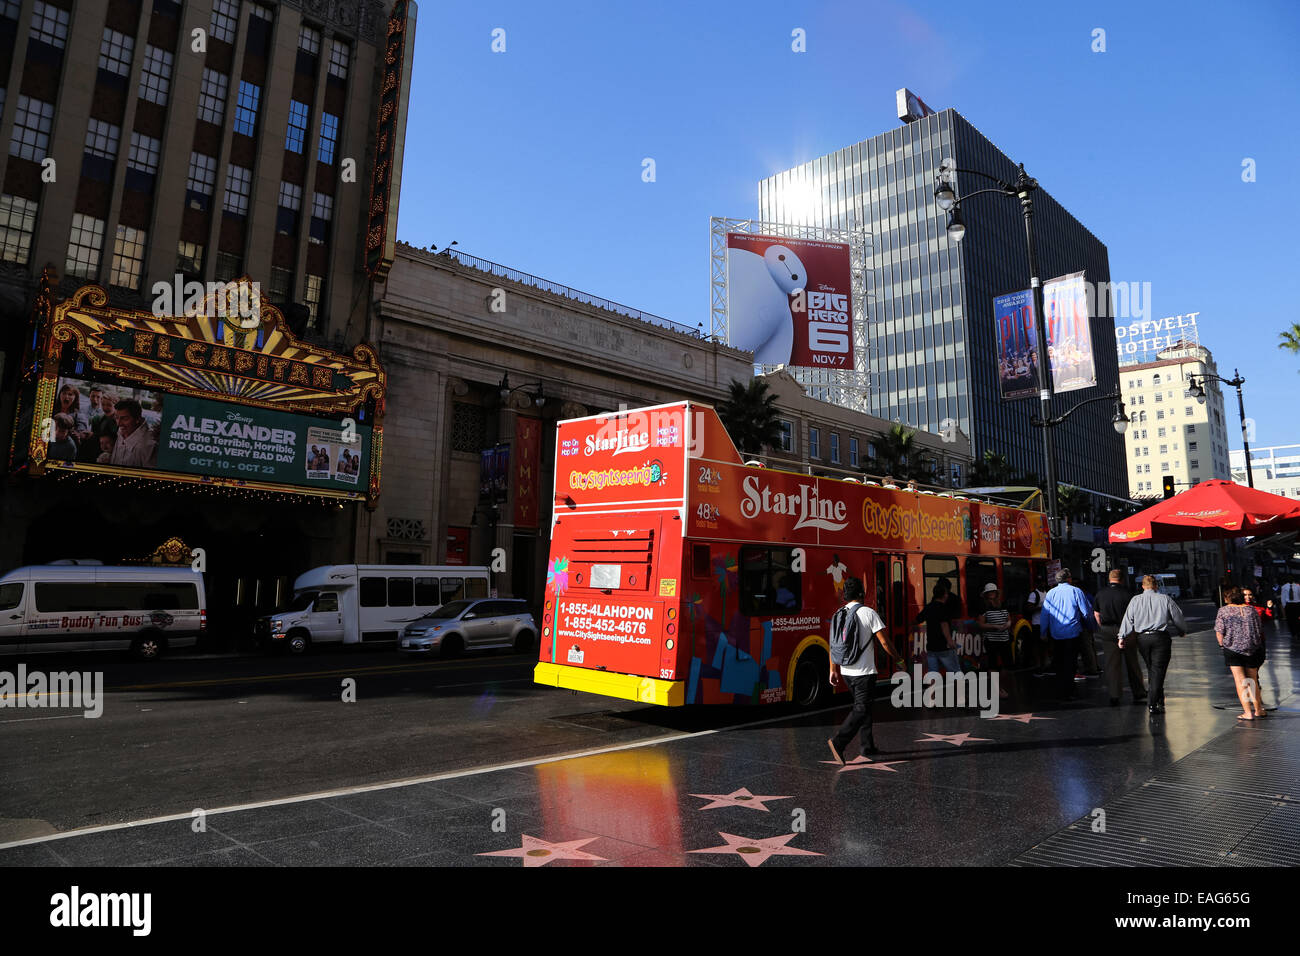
(1194,786)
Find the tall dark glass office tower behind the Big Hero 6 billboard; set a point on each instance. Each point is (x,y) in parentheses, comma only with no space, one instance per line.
(931,332)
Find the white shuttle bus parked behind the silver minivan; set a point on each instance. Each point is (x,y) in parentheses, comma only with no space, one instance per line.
(353,604)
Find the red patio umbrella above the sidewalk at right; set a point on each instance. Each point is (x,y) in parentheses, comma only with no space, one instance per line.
(1212,511)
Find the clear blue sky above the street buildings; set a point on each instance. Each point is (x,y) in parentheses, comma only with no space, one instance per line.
(534,157)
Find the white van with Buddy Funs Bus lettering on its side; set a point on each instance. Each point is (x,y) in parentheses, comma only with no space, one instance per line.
(54,608)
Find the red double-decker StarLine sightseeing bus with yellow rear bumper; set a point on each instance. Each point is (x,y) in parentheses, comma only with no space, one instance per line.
(681,576)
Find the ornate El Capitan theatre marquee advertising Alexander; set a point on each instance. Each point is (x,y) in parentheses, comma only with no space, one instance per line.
(223,397)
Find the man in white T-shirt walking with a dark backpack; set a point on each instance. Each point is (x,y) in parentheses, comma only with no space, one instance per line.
(855,631)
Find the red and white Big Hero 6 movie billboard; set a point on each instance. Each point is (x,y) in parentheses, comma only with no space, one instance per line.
(791,301)
